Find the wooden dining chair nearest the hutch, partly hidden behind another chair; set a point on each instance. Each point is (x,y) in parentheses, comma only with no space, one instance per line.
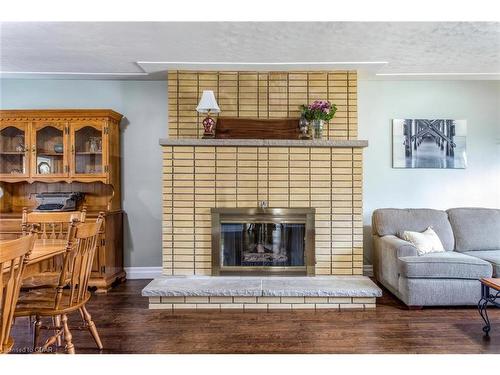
(52,225)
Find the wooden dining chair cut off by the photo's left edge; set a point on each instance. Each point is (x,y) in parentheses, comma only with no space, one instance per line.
(13,259)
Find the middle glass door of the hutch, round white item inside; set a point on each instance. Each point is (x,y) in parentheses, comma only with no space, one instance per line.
(48,150)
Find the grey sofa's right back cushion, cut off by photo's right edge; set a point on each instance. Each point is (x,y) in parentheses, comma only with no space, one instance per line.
(475,228)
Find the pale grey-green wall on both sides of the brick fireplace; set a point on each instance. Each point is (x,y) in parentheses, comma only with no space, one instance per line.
(144,103)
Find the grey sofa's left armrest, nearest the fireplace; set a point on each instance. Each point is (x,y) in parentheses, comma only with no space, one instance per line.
(387,250)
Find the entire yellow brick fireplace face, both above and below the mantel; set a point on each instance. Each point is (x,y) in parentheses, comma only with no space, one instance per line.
(202,174)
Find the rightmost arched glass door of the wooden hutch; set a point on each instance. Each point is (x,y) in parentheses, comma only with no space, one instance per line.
(87,147)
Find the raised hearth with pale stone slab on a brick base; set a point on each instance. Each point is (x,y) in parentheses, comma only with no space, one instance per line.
(230,292)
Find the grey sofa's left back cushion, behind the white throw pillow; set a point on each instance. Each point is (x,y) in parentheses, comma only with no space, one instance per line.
(393,221)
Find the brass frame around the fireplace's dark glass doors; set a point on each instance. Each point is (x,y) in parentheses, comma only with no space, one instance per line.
(264,215)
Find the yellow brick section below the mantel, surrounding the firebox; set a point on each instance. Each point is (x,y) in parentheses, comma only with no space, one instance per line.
(197,178)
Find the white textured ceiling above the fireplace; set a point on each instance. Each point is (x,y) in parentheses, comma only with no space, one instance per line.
(111,48)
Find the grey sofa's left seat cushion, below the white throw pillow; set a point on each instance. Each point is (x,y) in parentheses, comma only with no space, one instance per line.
(447,265)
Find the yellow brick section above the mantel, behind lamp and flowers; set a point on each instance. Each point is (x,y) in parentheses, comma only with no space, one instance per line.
(262,95)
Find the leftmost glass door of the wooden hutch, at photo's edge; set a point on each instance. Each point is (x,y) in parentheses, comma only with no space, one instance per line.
(14,150)
